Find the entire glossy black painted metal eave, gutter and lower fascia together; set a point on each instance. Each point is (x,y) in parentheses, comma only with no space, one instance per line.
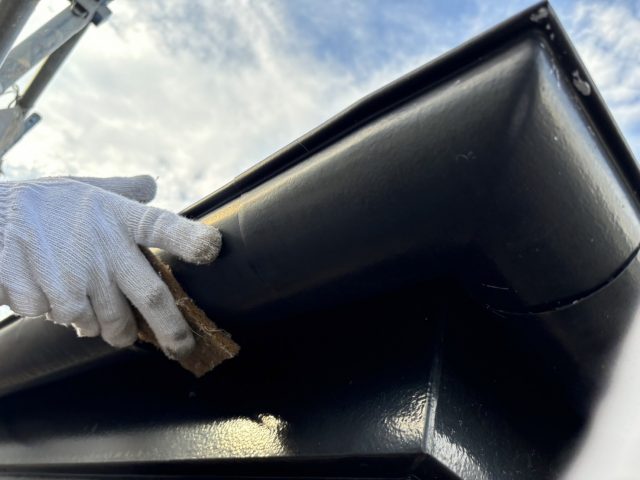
(430,284)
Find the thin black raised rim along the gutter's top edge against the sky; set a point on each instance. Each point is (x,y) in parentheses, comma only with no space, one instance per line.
(540,16)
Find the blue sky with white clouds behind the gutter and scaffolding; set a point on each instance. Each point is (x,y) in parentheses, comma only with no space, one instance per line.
(196,92)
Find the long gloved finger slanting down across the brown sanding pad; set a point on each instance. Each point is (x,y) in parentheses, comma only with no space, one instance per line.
(149,294)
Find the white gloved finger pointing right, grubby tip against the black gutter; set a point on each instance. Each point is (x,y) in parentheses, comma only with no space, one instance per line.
(192,241)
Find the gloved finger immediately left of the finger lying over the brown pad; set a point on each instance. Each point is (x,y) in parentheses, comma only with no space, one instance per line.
(117,325)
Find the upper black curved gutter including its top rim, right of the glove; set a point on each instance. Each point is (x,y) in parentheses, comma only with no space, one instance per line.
(513,127)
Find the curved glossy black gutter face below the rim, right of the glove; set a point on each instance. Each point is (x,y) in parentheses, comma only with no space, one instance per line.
(495,175)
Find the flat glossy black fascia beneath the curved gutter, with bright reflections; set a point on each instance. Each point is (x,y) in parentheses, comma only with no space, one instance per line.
(382,388)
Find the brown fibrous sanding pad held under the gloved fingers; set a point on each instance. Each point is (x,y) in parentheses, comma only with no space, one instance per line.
(213,345)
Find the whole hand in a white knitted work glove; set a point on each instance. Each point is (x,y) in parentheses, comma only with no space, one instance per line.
(69,249)
